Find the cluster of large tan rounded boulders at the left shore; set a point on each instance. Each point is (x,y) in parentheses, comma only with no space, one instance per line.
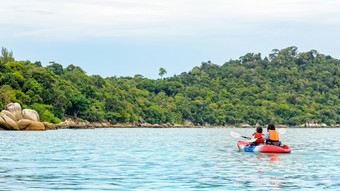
(13,118)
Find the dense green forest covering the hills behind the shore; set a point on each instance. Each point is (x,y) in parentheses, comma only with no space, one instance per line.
(286,87)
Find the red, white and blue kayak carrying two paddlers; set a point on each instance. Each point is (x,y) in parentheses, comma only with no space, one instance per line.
(244,146)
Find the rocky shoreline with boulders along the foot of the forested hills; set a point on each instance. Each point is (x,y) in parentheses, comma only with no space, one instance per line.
(14,118)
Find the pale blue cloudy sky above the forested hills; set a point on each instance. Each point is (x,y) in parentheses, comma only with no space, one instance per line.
(129,37)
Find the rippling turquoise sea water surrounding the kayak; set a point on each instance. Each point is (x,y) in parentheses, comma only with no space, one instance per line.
(165,159)
